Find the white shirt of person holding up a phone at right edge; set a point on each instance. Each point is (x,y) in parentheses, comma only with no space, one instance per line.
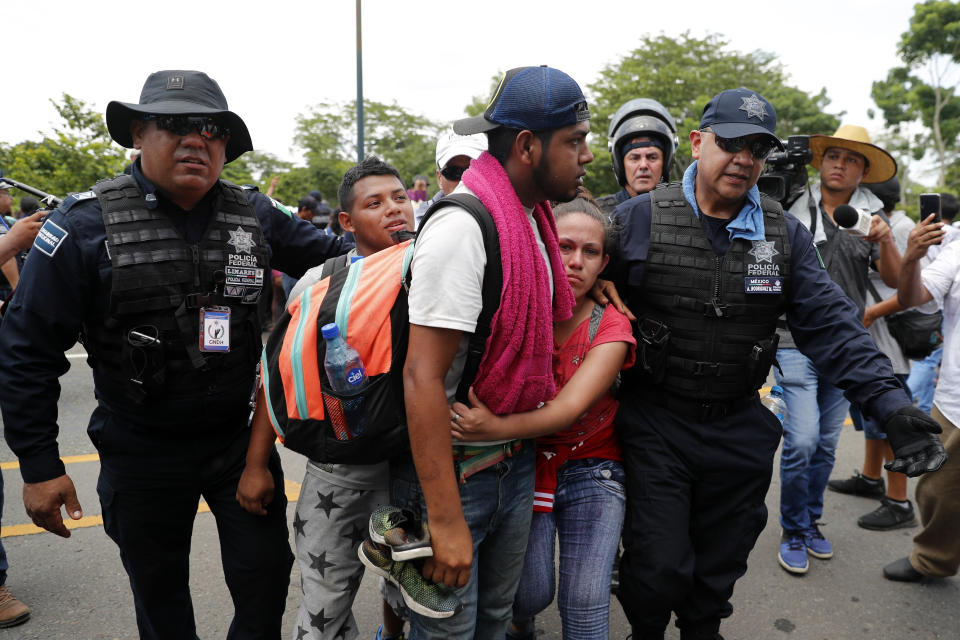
(942,279)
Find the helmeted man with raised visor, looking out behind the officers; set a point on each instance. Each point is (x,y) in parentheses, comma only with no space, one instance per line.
(642,140)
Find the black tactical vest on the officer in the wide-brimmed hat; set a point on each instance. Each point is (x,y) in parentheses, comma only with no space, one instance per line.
(150,339)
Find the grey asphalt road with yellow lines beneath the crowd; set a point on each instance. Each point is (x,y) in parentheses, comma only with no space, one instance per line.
(77,588)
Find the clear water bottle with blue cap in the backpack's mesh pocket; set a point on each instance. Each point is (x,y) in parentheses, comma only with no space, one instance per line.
(347,378)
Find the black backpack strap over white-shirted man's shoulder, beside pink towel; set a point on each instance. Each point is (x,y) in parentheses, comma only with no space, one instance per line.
(492,281)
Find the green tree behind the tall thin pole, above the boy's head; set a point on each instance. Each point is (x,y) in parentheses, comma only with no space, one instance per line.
(327,134)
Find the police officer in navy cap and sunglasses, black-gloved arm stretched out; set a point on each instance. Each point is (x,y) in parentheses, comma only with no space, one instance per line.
(708,265)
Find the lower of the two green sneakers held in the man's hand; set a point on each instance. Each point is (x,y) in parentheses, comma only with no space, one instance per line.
(422,596)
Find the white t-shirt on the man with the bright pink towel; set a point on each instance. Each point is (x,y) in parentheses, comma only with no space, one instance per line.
(446,289)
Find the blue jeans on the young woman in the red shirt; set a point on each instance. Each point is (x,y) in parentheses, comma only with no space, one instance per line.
(587,516)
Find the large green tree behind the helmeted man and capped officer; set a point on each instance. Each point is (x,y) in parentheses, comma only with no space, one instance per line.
(683,73)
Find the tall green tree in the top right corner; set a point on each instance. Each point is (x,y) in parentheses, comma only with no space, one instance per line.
(924,90)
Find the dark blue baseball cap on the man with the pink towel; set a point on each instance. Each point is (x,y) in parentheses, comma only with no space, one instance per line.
(533,98)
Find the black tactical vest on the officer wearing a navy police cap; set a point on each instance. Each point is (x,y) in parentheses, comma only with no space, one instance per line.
(707,328)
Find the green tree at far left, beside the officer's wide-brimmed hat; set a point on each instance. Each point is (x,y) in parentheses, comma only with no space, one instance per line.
(77,153)
